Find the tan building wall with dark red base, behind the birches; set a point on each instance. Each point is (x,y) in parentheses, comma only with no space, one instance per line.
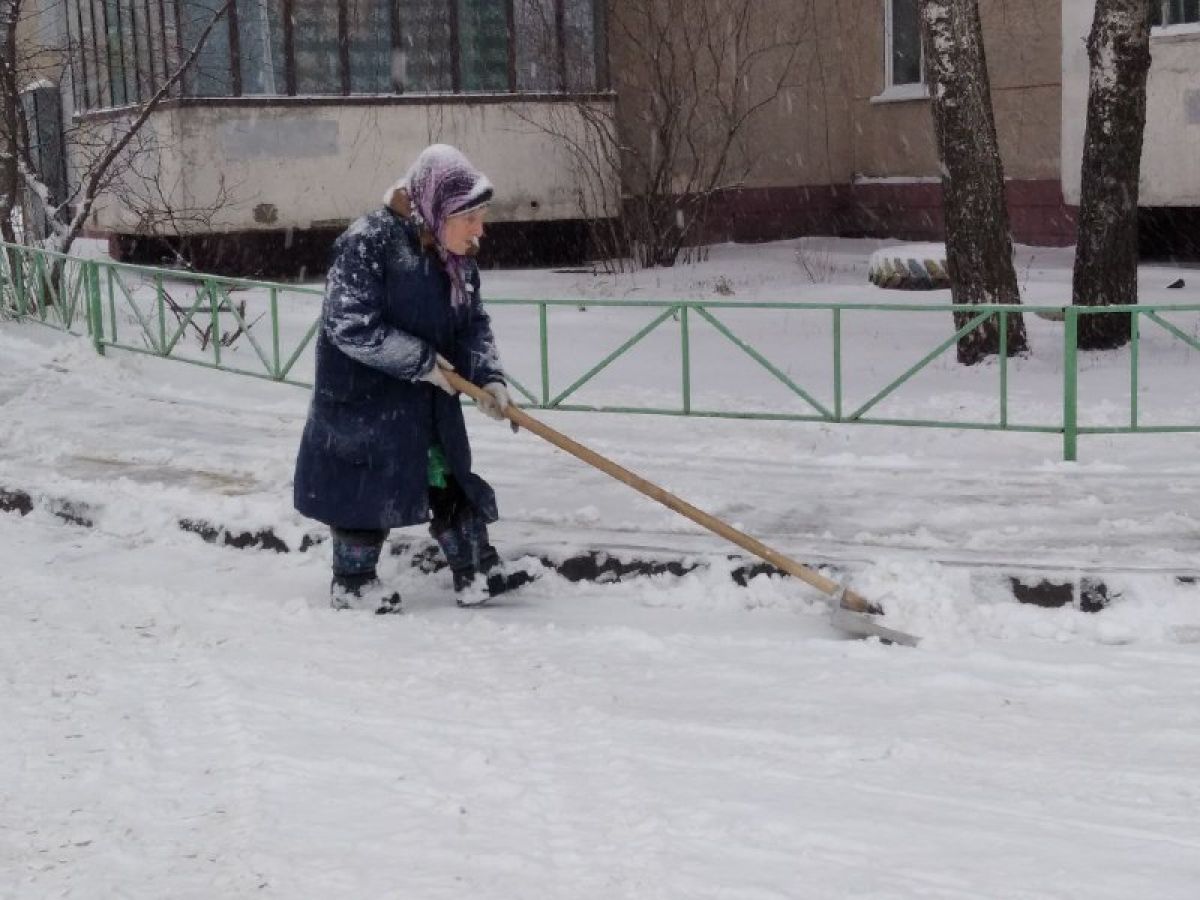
(832,155)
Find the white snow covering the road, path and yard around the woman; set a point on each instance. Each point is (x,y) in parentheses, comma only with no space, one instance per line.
(188,721)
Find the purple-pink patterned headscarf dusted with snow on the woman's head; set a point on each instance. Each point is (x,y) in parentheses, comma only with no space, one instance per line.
(442,183)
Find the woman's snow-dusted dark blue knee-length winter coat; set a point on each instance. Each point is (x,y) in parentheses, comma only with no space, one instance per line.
(364,457)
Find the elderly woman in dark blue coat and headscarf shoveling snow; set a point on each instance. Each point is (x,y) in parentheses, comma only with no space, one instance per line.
(386,445)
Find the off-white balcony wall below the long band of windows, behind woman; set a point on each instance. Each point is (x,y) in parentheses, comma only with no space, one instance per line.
(310,165)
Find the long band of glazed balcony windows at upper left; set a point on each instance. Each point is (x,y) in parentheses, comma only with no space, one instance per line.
(123,51)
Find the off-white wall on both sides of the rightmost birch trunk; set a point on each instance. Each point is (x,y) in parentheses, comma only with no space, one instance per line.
(1171,160)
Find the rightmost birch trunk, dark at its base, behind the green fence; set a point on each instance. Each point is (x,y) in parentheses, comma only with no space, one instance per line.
(1107,257)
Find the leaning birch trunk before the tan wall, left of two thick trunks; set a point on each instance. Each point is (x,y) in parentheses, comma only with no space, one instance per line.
(979,245)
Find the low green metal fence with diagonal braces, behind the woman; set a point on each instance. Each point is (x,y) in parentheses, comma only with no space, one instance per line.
(197,319)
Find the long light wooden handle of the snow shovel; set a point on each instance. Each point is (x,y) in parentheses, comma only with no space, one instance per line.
(849,598)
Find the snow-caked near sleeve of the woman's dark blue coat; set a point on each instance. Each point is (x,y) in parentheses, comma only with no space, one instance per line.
(352,316)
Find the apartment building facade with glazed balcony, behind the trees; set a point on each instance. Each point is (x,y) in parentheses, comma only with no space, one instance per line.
(299,112)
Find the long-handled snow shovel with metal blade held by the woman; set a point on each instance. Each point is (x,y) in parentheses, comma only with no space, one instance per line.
(853,613)
